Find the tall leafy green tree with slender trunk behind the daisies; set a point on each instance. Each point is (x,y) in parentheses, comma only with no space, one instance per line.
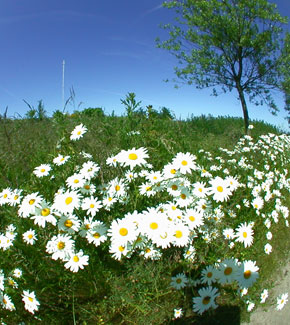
(231,44)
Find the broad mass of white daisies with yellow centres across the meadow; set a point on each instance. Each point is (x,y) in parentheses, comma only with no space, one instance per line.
(193,202)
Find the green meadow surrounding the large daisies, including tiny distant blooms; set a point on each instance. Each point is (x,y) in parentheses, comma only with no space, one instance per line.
(136,289)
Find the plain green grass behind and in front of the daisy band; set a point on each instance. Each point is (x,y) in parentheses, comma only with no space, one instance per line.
(135,292)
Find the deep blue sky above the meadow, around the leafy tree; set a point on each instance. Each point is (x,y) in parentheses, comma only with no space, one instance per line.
(109,50)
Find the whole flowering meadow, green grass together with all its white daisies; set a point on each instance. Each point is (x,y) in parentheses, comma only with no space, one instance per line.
(215,212)
